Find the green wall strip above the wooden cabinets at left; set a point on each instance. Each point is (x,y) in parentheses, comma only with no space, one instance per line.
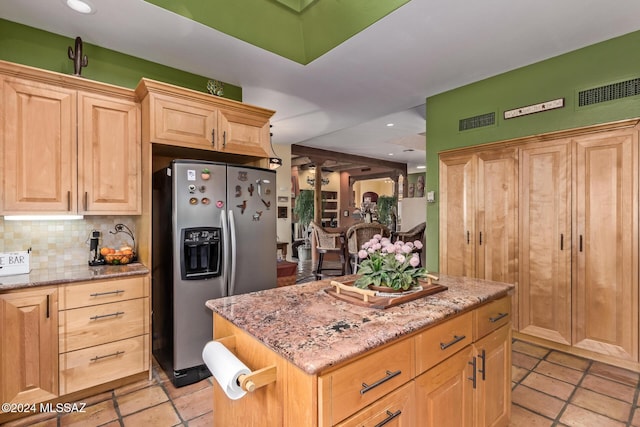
(41,49)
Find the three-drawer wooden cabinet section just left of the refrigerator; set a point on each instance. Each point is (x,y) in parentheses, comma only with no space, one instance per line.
(104,332)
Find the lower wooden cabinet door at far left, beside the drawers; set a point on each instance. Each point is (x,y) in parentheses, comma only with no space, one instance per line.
(29,346)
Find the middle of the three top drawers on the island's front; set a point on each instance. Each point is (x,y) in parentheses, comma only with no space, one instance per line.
(438,343)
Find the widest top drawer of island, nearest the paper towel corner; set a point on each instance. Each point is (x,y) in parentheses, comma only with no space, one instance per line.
(351,388)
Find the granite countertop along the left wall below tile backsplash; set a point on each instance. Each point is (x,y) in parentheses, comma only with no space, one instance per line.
(56,276)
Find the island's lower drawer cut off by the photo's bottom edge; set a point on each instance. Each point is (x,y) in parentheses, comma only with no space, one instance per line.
(397,409)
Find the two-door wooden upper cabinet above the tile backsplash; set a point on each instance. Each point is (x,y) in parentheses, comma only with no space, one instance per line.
(68,145)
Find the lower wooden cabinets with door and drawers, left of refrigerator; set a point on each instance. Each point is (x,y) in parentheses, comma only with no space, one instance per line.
(62,339)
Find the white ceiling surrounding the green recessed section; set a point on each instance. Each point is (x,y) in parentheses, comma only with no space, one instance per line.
(343,100)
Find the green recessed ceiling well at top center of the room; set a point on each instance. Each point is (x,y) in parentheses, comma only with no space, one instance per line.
(300,31)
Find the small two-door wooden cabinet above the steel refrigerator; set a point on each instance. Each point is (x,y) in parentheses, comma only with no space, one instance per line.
(185,118)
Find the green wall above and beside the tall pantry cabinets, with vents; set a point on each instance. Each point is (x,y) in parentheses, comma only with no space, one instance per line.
(564,76)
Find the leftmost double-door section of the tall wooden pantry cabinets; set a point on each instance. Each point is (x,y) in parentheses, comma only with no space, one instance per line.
(479,215)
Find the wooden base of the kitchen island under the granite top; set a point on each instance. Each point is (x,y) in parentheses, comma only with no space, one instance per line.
(426,377)
